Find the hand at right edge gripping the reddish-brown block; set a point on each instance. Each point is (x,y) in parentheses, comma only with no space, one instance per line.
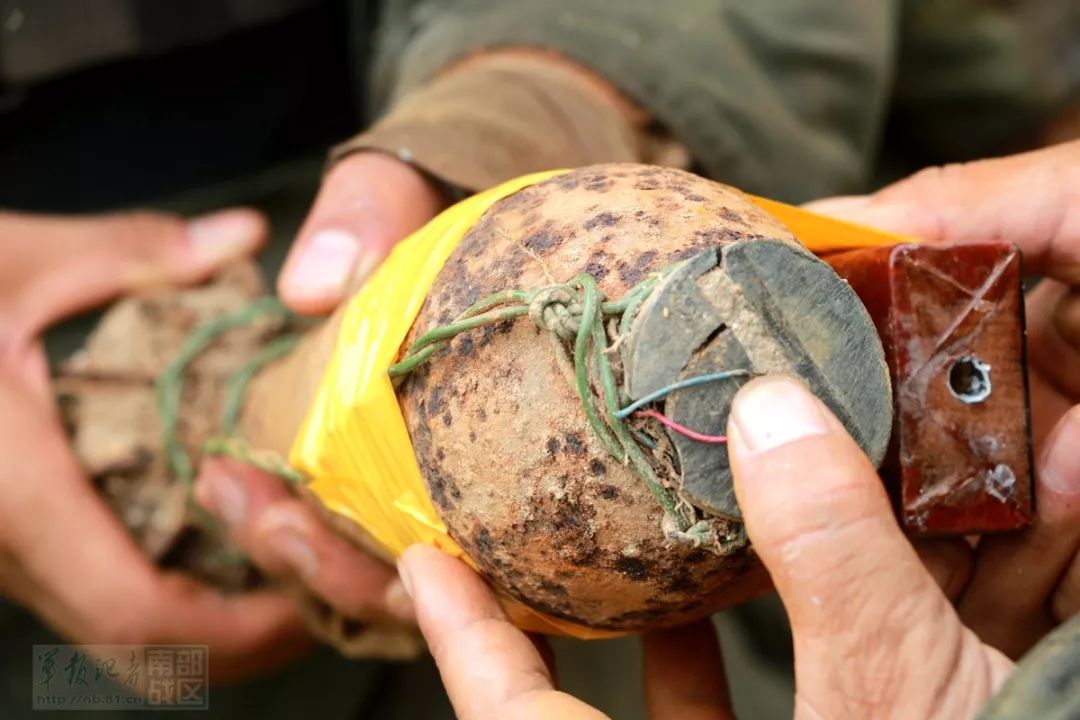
(1012,589)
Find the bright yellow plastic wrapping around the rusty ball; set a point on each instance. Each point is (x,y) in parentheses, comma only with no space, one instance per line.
(355,447)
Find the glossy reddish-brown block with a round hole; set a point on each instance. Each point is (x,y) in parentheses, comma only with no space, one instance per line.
(952,322)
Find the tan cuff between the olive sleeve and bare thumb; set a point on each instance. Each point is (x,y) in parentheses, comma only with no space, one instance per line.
(501,116)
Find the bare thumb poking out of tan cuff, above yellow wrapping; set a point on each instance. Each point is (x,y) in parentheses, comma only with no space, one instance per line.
(368,203)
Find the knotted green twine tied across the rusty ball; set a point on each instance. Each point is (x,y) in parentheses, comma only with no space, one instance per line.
(578,302)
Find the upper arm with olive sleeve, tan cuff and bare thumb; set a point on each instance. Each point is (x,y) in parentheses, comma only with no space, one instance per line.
(780,100)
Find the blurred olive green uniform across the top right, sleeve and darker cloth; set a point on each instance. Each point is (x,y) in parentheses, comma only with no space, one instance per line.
(793,100)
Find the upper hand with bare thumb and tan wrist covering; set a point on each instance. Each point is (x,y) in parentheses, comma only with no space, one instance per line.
(476,125)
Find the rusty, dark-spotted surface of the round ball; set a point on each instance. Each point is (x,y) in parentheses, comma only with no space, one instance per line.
(510,463)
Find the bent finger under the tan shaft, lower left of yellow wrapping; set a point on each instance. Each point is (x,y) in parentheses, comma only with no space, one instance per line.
(286,538)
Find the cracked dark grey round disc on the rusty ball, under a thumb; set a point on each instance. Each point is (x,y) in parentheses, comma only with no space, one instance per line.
(766,308)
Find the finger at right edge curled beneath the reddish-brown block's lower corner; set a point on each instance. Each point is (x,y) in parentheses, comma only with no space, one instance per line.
(1016,575)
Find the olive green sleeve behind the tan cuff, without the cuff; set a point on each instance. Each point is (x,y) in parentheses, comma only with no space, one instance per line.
(777,98)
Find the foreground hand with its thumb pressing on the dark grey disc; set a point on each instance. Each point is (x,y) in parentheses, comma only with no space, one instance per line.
(874,635)
